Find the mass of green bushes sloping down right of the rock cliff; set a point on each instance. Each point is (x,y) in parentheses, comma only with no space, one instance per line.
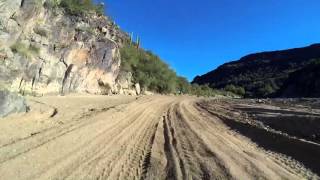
(153,74)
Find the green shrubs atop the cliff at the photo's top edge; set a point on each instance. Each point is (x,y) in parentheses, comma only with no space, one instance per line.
(80,7)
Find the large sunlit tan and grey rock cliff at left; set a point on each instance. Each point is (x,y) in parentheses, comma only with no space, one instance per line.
(43,50)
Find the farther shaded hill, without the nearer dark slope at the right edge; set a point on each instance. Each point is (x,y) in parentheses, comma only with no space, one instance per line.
(261,74)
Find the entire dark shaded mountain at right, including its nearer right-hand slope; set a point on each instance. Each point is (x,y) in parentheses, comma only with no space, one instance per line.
(286,73)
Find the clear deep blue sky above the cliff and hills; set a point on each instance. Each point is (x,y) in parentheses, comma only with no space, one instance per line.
(196,36)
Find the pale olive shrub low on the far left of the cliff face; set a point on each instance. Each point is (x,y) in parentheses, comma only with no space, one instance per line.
(24,50)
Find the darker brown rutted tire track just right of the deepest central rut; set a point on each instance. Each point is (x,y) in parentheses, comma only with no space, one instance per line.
(193,152)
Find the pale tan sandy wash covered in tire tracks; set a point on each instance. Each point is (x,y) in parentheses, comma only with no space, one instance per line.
(151,137)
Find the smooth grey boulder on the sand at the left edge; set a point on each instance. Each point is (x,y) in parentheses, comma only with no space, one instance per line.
(11,103)
